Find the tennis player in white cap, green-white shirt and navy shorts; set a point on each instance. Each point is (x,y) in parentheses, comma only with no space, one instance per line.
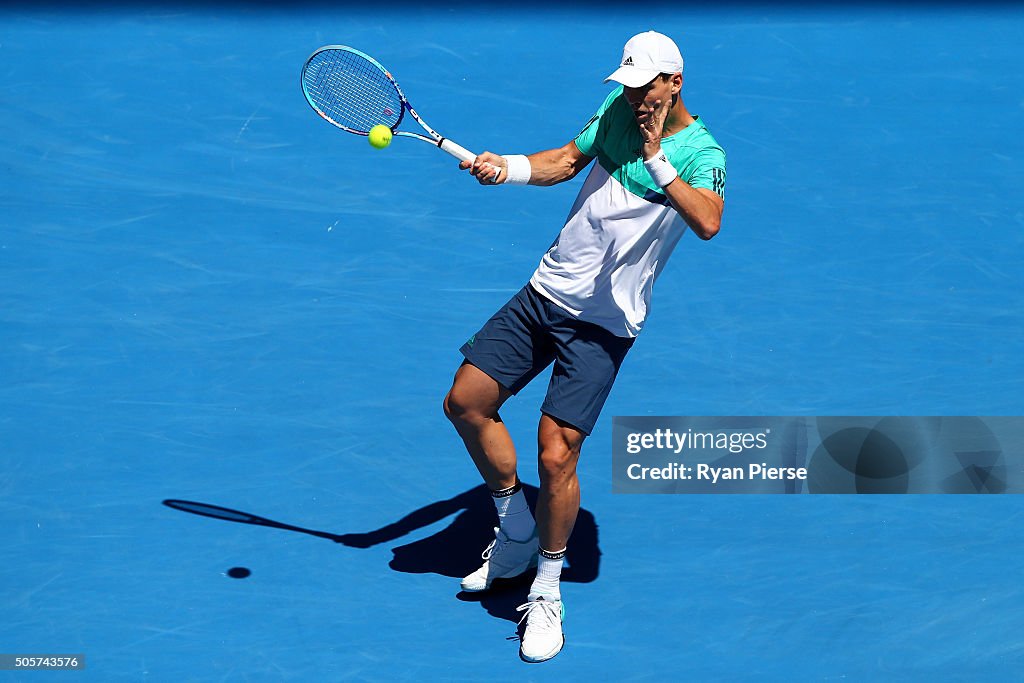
(659,172)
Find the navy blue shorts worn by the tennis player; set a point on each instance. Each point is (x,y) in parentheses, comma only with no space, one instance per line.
(529,334)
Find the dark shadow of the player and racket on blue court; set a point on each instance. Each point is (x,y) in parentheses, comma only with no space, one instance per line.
(454,551)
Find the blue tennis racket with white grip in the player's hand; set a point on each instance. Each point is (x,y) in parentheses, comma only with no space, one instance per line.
(354,92)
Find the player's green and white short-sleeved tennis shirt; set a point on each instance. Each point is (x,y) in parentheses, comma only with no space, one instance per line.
(622,230)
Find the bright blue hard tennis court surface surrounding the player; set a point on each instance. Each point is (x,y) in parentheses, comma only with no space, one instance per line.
(208,294)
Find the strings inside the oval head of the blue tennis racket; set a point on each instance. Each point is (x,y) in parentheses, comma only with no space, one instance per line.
(352,92)
